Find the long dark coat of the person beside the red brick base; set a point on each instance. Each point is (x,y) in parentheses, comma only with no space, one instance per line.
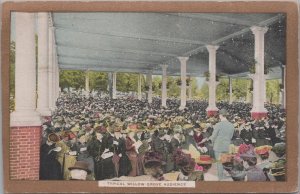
(50,168)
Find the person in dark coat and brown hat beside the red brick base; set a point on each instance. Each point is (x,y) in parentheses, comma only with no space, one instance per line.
(50,168)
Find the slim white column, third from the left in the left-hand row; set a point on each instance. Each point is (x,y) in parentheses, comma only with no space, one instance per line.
(51,70)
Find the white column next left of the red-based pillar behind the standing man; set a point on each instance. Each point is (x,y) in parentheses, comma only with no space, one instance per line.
(183,61)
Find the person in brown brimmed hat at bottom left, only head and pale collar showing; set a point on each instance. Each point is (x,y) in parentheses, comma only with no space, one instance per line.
(79,171)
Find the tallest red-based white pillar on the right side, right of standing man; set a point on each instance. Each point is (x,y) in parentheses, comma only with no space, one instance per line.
(259,80)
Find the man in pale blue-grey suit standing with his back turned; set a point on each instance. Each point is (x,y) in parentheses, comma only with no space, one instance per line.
(221,138)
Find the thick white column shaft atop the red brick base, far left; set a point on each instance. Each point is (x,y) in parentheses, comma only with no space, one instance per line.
(25,113)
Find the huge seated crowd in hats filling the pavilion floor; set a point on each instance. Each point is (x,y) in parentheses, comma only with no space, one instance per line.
(93,137)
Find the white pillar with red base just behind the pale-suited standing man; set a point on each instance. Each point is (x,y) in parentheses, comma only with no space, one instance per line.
(212,108)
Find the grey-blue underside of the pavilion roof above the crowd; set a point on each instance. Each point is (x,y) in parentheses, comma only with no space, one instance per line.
(139,42)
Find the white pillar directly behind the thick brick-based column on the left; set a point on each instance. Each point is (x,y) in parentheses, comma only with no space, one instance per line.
(43,82)
